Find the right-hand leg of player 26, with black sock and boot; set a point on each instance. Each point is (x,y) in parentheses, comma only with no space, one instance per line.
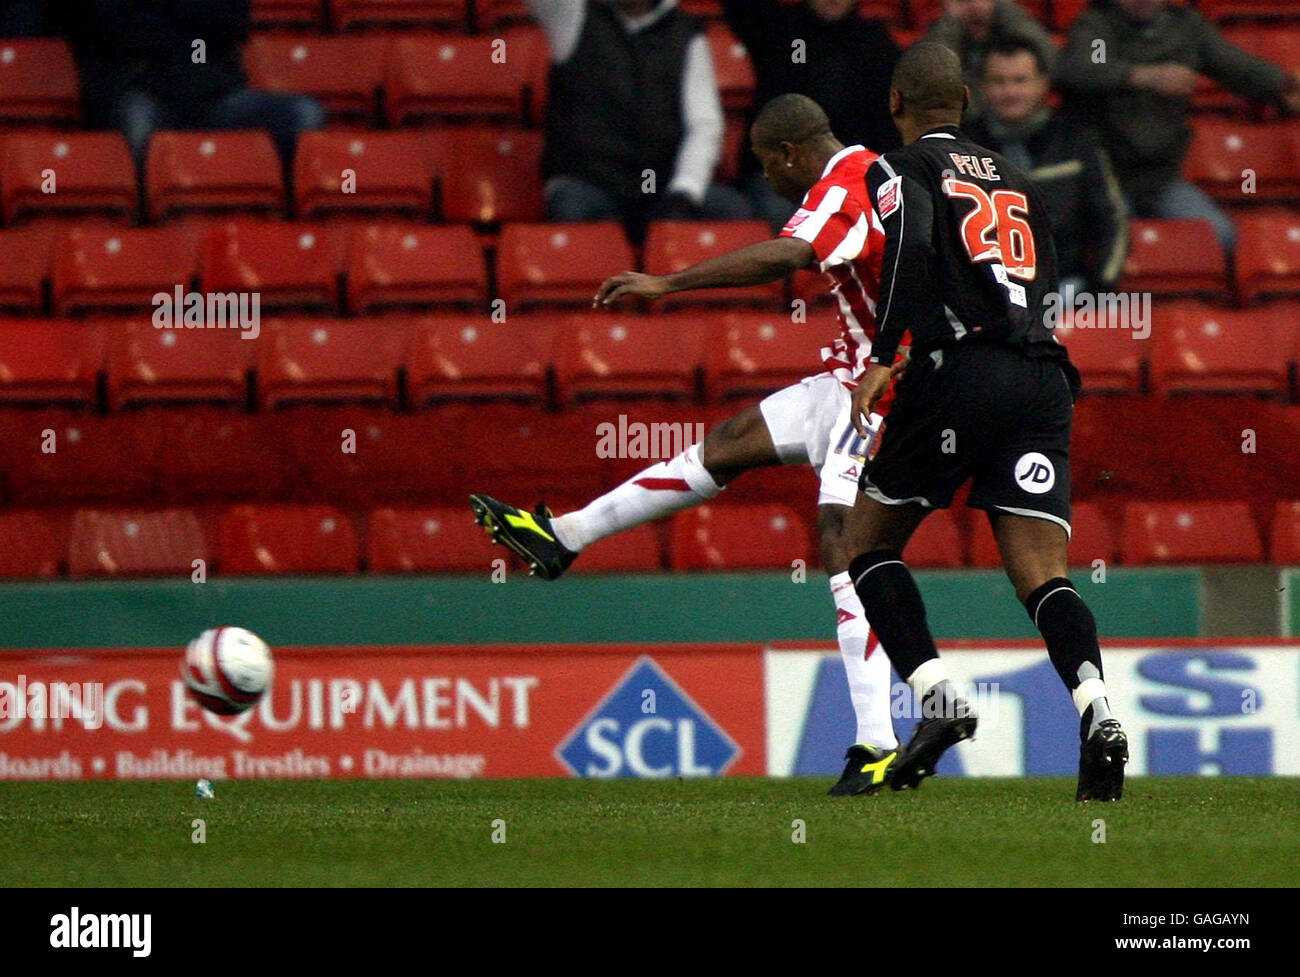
(1034,553)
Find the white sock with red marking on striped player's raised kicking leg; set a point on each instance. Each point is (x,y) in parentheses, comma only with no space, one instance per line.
(658,492)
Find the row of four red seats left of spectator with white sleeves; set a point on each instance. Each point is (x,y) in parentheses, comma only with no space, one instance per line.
(480,175)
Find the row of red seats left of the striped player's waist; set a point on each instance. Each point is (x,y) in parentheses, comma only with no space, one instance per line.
(436,358)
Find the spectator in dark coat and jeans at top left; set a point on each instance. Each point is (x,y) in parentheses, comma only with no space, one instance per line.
(142,70)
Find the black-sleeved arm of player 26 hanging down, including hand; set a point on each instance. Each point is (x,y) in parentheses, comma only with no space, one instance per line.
(908,284)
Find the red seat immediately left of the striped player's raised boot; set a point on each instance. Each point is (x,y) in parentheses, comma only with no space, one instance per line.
(434,540)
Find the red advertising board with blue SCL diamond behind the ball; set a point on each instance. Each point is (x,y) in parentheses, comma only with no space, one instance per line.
(396,713)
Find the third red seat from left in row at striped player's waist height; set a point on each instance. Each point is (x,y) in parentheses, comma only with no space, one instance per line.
(331,362)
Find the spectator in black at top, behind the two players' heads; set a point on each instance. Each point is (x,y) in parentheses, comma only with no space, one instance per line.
(844,66)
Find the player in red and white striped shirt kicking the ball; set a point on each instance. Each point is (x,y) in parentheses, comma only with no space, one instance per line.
(837,232)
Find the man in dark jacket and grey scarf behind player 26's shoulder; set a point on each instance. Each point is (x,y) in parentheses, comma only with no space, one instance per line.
(1090,220)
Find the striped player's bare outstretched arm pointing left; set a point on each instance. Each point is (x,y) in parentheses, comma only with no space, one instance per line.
(757,264)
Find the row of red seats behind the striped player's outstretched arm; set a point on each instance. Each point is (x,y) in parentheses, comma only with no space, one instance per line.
(359,268)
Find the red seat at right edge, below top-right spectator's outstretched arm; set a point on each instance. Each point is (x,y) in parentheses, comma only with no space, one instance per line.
(1225,154)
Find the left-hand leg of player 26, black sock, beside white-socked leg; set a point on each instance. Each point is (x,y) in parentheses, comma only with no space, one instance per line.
(898,614)
